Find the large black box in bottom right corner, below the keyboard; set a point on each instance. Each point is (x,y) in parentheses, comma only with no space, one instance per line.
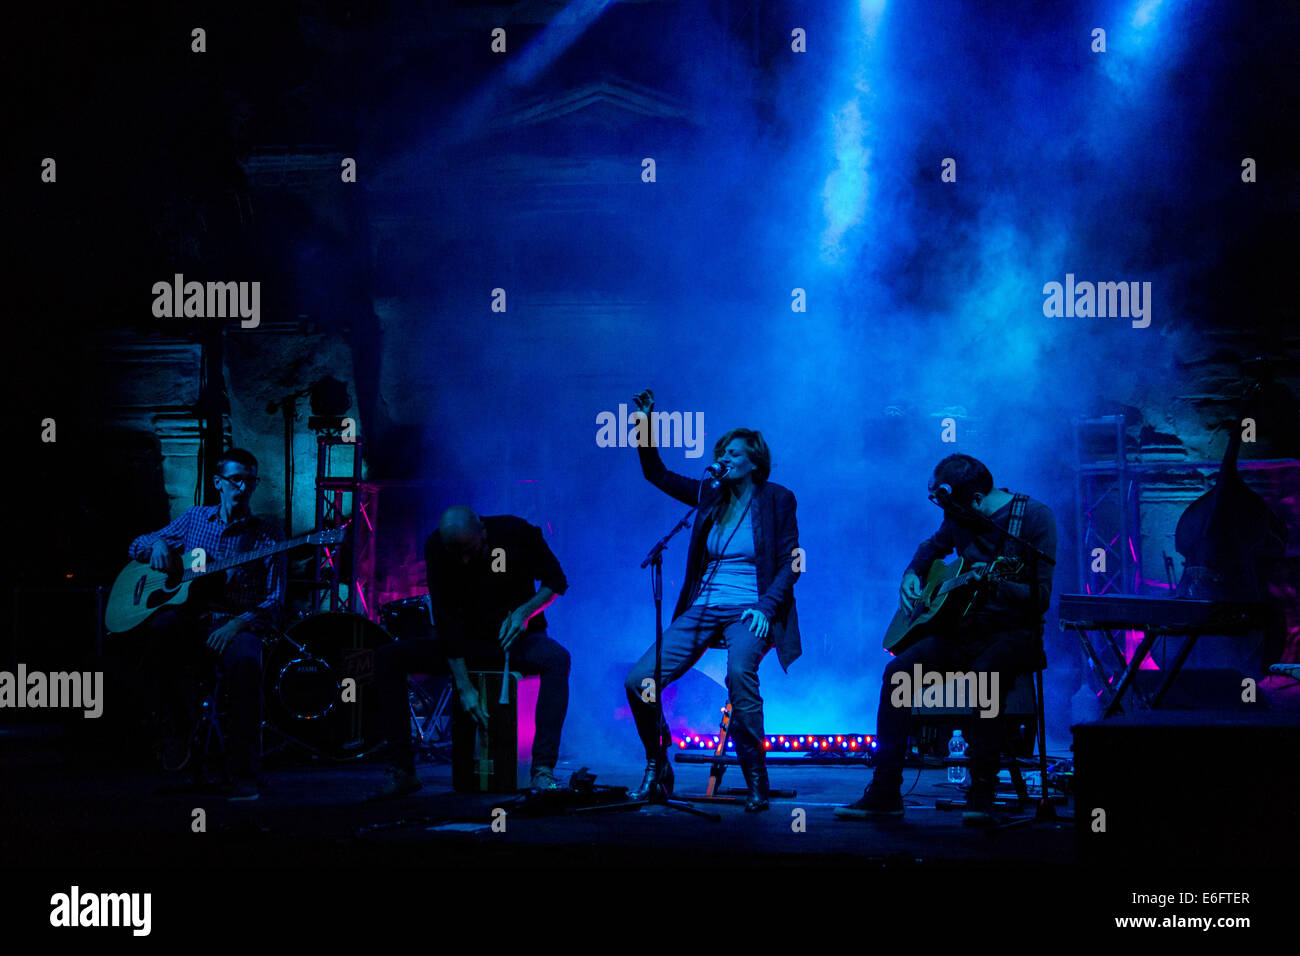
(1188,788)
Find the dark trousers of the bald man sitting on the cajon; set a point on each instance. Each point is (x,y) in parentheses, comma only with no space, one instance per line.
(532,654)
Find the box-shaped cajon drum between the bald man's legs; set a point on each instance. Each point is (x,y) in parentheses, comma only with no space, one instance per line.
(491,762)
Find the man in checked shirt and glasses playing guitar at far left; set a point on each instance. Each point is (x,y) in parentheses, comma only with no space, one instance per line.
(227,618)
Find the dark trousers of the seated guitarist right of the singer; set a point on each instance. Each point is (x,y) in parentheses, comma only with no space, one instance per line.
(1007,654)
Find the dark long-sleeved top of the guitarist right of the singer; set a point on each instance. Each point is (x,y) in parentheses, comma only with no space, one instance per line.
(1011,603)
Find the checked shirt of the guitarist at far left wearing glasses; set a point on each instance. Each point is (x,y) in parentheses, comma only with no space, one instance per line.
(254,592)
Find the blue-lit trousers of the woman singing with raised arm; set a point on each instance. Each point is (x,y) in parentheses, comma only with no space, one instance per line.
(697,630)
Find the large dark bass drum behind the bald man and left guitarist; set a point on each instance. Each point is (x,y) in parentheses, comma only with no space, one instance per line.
(305,684)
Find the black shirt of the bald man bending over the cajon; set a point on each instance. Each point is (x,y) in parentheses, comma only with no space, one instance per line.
(471,602)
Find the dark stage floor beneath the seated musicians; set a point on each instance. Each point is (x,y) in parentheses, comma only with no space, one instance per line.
(73,810)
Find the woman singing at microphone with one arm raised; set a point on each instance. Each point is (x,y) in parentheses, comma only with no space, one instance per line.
(739,594)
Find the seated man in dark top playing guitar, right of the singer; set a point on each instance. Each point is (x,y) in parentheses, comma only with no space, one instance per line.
(1002,635)
